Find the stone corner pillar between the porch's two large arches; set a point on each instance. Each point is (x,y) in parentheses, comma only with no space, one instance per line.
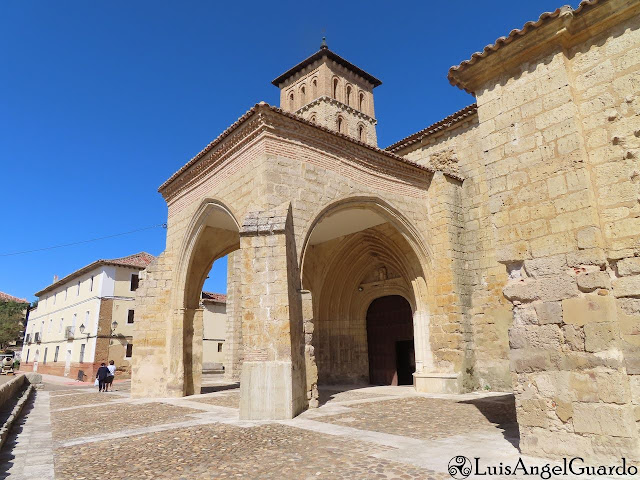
(273,381)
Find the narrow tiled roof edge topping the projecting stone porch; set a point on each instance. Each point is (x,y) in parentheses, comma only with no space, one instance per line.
(271,108)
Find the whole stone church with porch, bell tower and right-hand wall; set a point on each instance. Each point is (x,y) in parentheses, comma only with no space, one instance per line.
(497,249)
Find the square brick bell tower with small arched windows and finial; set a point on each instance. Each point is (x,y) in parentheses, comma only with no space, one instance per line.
(334,93)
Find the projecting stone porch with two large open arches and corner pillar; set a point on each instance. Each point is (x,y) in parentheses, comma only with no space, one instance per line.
(265,212)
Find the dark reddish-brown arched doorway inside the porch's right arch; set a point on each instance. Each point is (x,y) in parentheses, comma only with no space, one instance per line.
(390,341)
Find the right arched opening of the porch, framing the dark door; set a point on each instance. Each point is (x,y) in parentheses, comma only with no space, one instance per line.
(356,252)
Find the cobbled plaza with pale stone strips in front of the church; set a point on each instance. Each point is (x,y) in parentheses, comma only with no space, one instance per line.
(364,433)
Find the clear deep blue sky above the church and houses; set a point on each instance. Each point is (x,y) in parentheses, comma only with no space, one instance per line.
(100,102)
